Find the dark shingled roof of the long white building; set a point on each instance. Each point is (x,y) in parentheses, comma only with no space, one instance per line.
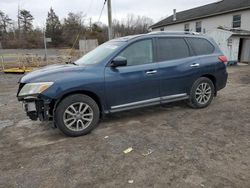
(213,9)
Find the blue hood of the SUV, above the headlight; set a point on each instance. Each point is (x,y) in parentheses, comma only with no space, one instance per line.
(51,73)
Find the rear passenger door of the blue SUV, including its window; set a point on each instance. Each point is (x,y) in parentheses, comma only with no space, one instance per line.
(177,67)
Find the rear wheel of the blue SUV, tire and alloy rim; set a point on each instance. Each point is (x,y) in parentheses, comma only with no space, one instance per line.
(202,93)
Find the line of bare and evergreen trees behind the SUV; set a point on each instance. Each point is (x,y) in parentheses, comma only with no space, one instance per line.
(64,33)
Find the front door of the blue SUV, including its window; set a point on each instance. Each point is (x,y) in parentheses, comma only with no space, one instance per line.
(136,84)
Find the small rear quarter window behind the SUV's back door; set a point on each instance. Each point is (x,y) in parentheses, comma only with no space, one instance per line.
(201,46)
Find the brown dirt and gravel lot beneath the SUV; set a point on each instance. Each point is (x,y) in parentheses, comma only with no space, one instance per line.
(190,148)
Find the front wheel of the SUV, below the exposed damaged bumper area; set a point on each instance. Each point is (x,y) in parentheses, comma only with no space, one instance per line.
(77,115)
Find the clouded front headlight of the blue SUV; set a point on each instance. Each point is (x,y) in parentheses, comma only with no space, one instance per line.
(34,88)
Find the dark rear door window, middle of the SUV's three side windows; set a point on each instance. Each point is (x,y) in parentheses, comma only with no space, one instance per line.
(172,48)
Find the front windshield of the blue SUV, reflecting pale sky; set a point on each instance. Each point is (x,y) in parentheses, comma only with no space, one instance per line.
(99,54)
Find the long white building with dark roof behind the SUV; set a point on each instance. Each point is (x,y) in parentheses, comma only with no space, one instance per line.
(227,21)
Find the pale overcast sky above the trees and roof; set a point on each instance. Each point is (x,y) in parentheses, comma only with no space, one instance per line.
(155,9)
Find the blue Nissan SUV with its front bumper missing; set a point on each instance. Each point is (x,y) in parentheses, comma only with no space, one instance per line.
(123,74)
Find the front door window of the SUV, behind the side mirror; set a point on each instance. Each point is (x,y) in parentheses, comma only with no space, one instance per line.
(139,53)
